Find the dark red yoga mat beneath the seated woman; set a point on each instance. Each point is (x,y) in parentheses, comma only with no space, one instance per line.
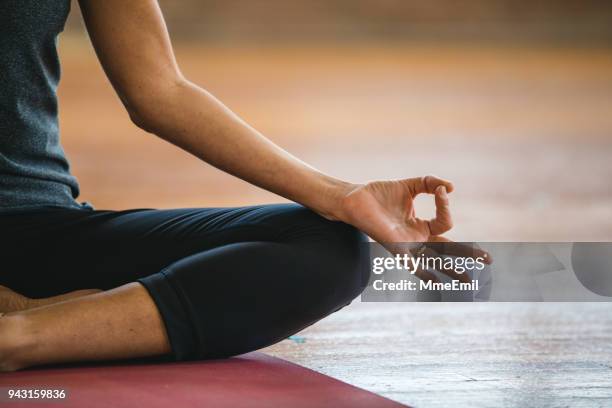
(251,380)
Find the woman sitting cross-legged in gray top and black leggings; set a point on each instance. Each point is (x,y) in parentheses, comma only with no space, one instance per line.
(182,284)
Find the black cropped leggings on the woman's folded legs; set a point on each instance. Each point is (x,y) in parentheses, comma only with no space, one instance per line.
(225,280)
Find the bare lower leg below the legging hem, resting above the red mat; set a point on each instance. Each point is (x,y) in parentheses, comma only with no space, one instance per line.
(116,324)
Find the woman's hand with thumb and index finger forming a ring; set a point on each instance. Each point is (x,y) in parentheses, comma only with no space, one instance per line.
(384,210)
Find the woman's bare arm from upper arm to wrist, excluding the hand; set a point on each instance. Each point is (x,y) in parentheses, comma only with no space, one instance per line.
(132,44)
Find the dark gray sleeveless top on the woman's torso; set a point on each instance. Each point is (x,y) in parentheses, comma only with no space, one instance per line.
(33,168)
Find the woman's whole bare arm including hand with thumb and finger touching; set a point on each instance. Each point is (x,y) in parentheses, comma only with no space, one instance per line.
(132,43)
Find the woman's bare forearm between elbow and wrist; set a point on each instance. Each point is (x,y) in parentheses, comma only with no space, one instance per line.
(196,121)
